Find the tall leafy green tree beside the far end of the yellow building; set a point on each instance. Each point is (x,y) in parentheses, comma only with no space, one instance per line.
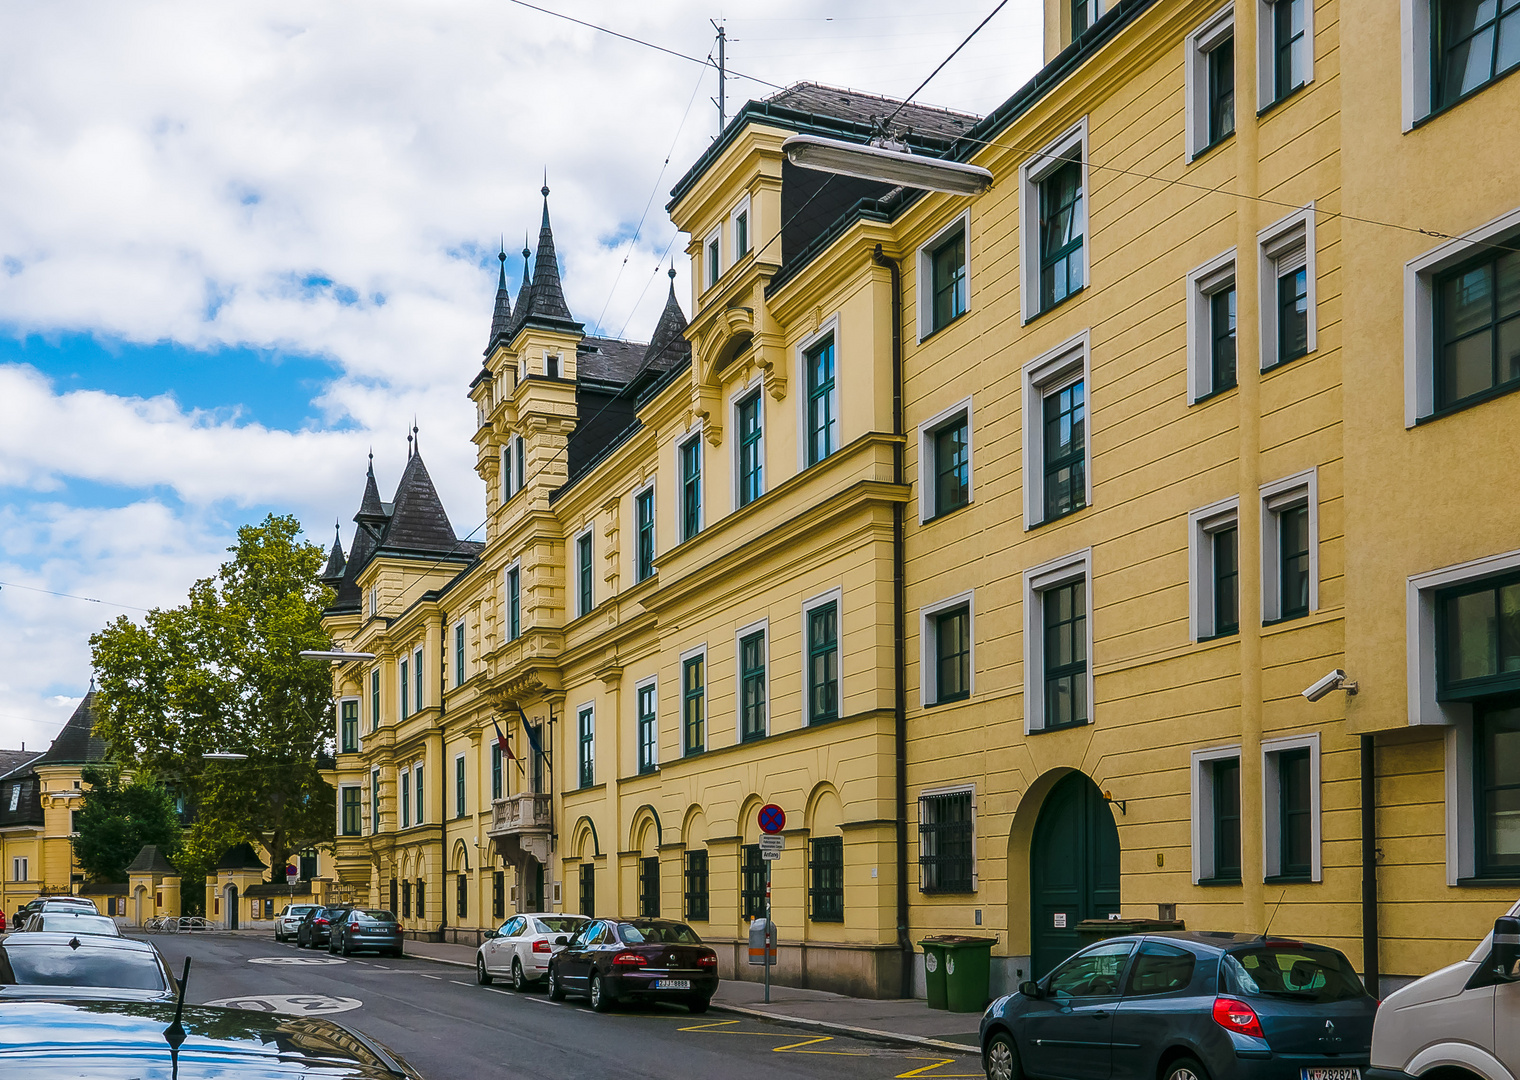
(223,674)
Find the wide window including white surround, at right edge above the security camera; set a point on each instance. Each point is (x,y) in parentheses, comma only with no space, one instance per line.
(1463,321)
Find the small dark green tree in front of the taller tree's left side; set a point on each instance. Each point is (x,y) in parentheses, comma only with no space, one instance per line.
(116,819)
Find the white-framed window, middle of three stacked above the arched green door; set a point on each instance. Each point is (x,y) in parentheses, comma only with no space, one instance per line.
(1057,452)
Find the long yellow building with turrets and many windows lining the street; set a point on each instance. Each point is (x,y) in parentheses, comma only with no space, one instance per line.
(998,537)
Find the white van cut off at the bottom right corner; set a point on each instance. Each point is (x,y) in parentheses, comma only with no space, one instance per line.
(1461,1023)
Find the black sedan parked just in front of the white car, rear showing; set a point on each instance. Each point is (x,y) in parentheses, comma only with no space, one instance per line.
(618,959)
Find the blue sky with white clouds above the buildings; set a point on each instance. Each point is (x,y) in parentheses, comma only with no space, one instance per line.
(244,245)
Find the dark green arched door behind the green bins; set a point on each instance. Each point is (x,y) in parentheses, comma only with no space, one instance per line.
(1074,870)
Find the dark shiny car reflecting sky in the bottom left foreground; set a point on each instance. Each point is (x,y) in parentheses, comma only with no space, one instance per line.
(127,1041)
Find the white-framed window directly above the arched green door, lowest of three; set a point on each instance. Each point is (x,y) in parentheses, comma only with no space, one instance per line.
(1059,643)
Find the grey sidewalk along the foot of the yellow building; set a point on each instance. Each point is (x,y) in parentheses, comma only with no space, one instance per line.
(904,1022)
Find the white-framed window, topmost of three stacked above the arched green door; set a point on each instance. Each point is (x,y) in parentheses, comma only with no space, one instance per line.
(1053,207)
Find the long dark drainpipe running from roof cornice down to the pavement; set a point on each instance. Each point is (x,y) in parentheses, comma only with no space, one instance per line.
(899,631)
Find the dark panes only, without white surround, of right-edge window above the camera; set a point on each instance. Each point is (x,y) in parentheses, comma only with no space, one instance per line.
(1478,324)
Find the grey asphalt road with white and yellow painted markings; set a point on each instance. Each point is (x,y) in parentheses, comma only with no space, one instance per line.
(451,1029)
